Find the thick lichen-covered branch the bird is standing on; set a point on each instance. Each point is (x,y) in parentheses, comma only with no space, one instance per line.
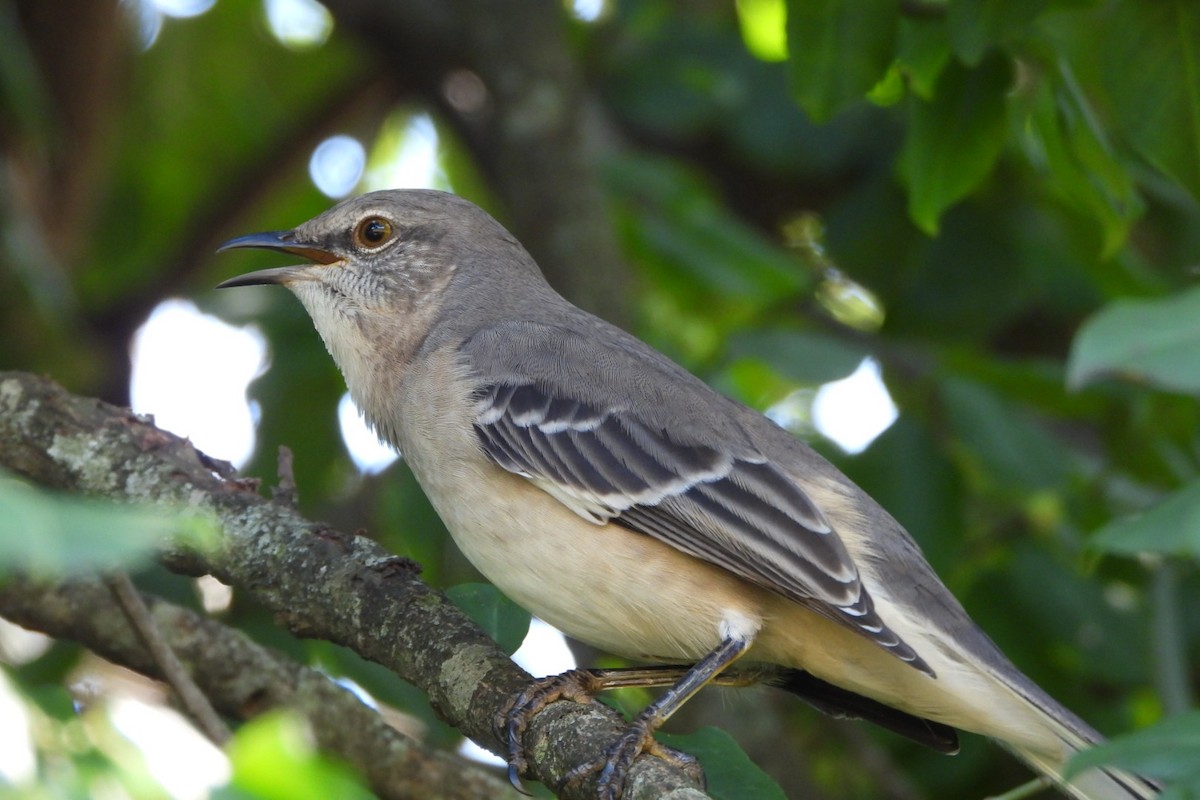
(320,582)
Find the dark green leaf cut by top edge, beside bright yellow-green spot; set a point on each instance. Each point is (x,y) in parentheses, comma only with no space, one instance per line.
(838,51)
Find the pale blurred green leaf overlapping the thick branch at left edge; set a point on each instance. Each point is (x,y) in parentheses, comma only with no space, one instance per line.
(53,534)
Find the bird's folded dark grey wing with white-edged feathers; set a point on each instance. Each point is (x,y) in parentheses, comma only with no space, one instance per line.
(742,514)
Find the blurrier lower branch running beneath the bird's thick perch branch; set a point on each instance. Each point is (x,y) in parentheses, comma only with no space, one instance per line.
(243,679)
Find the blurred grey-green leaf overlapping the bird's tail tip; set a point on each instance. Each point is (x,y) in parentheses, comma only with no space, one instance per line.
(1169,751)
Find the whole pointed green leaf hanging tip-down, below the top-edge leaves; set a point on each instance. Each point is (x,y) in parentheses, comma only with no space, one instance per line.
(955,141)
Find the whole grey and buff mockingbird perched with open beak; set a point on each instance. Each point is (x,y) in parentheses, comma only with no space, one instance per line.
(615,496)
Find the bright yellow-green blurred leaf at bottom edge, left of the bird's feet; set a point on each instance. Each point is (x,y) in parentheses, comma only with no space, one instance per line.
(274,759)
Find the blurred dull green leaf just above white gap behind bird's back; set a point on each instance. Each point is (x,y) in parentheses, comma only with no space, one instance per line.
(806,357)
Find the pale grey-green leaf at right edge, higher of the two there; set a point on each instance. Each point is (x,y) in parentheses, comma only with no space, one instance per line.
(1154,342)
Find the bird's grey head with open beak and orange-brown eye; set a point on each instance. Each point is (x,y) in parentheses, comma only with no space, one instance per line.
(382,269)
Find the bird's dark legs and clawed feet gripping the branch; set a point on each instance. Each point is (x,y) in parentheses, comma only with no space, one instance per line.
(583,684)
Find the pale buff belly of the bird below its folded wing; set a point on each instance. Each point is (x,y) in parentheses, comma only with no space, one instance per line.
(605,586)
